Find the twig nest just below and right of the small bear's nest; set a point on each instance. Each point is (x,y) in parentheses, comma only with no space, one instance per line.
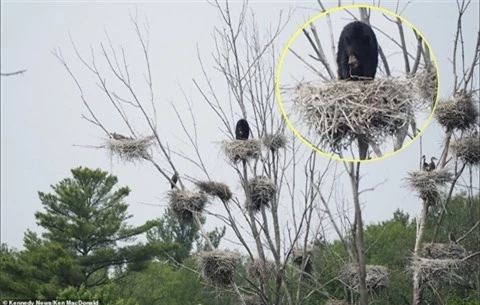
(262,190)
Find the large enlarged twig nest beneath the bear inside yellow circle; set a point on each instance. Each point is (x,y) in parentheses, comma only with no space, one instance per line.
(338,111)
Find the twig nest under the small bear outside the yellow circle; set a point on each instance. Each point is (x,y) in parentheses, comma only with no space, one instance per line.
(241,150)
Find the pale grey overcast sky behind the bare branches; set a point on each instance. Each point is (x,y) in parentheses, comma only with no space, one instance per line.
(41,109)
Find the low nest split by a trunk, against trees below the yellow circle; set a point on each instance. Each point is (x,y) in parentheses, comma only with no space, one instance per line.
(376,277)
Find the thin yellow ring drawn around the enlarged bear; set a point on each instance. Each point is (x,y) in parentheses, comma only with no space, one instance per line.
(292,39)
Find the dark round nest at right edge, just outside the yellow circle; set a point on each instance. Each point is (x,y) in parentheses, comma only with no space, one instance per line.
(458,112)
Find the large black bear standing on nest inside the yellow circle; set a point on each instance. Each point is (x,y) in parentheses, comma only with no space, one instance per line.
(357,55)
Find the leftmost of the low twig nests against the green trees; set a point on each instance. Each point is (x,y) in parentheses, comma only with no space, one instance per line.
(218,267)
